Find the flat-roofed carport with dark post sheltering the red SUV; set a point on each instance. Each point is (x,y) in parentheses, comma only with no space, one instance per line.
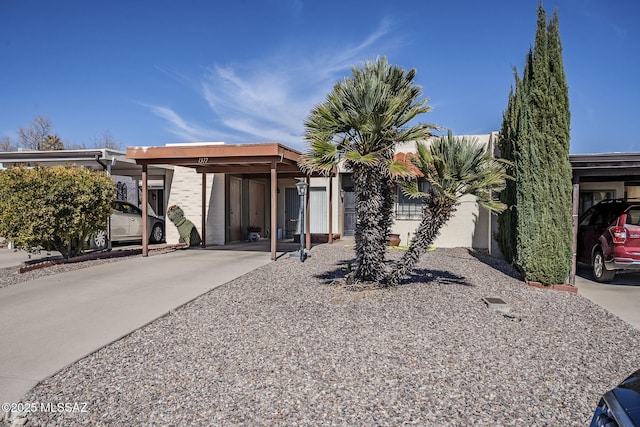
(599,171)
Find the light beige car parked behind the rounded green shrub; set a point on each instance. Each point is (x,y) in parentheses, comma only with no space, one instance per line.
(126,225)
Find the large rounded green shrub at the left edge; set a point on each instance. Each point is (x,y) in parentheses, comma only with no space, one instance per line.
(53,208)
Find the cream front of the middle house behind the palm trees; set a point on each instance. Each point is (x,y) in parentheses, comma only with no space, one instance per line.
(226,204)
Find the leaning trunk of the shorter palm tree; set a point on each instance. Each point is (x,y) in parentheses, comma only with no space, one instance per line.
(437,211)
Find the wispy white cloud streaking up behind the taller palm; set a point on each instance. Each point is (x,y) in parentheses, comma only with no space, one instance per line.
(268,99)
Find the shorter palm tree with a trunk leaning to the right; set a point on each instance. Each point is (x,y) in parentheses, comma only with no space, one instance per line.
(452,167)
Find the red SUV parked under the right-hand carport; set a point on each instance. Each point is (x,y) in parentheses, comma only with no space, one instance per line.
(609,238)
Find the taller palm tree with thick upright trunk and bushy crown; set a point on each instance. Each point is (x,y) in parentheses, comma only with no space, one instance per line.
(362,120)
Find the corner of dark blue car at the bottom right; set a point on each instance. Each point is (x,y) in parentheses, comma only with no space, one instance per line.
(620,406)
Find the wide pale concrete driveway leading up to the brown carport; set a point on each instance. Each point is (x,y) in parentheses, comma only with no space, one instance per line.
(51,322)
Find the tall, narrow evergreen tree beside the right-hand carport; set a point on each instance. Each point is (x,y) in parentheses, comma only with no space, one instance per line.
(535,231)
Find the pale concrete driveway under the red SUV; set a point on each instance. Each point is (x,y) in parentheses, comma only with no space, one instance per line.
(620,297)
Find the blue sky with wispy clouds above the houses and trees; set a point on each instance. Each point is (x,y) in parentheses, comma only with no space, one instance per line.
(150,72)
